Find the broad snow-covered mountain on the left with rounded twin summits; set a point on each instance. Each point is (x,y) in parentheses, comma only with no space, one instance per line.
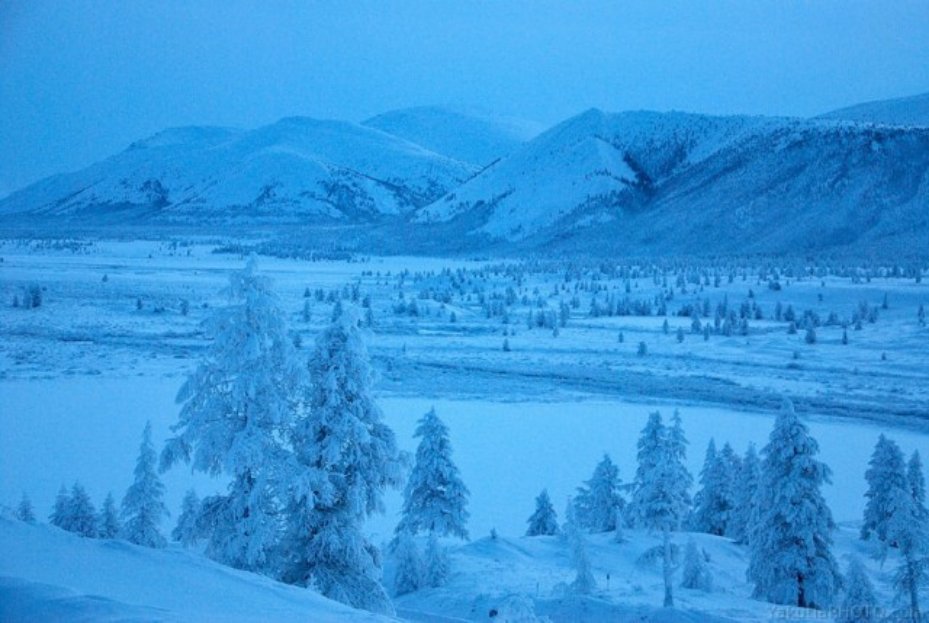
(295,170)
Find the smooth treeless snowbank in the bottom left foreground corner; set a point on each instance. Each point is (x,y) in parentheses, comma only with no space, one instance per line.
(47,574)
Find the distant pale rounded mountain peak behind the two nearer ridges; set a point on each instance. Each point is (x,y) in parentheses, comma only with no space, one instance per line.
(474,138)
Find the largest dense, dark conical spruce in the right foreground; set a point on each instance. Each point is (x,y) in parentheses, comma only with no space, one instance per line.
(790,559)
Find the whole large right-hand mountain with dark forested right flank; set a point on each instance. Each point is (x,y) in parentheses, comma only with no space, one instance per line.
(640,182)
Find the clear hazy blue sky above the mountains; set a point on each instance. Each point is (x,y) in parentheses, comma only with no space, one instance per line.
(81,80)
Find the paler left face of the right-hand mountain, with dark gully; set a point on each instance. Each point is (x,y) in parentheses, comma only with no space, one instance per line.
(591,161)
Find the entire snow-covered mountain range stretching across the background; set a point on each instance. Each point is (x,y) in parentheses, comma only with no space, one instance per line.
(431,181)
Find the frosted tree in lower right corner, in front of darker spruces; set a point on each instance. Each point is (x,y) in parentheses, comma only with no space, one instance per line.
(910,533)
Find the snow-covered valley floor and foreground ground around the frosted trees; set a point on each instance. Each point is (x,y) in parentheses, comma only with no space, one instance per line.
(538,369)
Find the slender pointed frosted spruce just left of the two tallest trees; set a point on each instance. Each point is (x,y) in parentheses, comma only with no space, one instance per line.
(143,505)
